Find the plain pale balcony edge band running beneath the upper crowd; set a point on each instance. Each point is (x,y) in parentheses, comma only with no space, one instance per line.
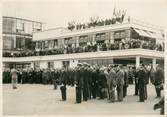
(126,53)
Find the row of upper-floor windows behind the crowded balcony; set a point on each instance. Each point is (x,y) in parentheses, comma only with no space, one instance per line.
(100,37)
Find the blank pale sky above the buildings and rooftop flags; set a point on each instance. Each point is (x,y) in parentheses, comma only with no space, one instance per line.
(57,13)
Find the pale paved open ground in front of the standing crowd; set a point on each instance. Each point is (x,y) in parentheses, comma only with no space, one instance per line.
(33,99)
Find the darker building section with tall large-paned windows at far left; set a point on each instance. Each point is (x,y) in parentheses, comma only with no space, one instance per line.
(17,35)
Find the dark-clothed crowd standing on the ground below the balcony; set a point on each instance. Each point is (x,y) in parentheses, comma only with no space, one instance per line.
(93,81)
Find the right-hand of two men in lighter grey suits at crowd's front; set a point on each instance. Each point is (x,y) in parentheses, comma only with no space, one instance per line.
(120,82)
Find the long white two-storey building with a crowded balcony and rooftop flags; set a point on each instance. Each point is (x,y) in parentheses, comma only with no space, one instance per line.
(130,42)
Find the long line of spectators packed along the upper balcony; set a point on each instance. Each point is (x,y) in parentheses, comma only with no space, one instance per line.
(89,47)
